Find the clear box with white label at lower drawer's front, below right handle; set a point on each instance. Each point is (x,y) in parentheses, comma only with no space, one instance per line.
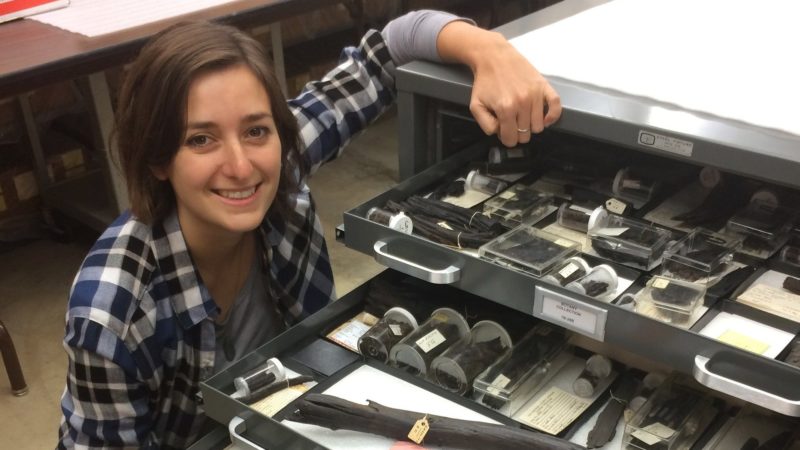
(673,418)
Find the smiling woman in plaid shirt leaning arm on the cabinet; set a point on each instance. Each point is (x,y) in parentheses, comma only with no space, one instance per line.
(222,248)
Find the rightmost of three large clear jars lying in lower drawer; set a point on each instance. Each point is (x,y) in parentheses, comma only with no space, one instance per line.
(457,367)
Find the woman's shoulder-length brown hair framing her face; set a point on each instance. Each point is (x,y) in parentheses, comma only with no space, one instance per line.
(151,110)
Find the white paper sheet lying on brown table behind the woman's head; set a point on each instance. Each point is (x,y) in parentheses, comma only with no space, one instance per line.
(97,17)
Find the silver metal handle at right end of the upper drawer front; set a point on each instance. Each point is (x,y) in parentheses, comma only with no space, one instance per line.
(743,391)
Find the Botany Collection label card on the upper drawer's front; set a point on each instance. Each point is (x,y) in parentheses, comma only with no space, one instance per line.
(570,313)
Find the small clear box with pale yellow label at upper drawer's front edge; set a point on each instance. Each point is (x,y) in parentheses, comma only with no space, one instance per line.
(674,300)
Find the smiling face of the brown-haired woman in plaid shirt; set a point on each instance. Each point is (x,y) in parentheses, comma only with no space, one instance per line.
(226,171)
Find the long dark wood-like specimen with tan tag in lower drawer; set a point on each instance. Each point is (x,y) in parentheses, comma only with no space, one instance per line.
(335,413)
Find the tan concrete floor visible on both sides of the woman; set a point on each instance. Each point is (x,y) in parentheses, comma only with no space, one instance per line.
(35,279)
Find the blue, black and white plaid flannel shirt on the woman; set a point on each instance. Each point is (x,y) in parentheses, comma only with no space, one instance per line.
(140,333)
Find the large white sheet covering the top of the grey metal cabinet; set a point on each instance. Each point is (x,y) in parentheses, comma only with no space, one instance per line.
(729,58)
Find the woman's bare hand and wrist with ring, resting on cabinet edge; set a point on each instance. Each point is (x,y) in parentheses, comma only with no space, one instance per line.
(509,96)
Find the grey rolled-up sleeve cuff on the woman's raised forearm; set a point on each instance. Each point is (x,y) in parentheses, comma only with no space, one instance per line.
(413,35)
